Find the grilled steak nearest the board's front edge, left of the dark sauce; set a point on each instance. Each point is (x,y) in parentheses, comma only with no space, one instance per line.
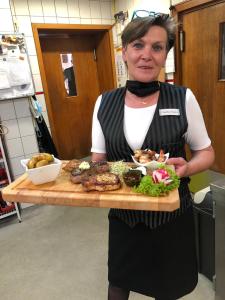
(102,182)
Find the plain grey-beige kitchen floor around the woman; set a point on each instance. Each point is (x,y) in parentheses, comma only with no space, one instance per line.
(60,253)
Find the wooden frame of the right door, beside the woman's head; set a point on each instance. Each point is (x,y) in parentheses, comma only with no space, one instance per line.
(178,11)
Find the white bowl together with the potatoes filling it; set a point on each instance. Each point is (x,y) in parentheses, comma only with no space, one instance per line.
(42,168)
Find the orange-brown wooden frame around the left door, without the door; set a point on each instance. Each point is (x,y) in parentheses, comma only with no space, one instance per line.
(108,49)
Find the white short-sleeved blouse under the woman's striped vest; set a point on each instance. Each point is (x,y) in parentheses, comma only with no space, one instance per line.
(135,131)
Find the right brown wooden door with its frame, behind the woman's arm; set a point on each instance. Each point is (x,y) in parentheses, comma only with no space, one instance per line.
(199,68)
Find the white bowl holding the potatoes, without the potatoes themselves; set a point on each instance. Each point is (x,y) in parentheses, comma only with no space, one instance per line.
(43,174)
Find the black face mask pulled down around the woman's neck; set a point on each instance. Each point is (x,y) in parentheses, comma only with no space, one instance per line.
(142,89)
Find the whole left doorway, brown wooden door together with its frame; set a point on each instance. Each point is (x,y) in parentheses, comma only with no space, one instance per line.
(76,64)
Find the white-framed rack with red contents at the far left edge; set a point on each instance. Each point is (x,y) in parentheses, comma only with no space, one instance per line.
(6,209)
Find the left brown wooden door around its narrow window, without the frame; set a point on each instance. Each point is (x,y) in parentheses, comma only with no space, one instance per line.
(71,115)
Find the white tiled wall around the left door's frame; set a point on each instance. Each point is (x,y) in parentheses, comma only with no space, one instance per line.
(15,114)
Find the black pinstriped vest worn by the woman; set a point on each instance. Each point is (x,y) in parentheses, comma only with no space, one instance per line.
(165,132)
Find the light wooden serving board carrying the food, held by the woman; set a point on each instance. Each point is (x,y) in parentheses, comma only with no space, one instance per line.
(63,192)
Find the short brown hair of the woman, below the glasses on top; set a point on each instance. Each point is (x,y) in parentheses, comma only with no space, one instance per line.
(138,27)
